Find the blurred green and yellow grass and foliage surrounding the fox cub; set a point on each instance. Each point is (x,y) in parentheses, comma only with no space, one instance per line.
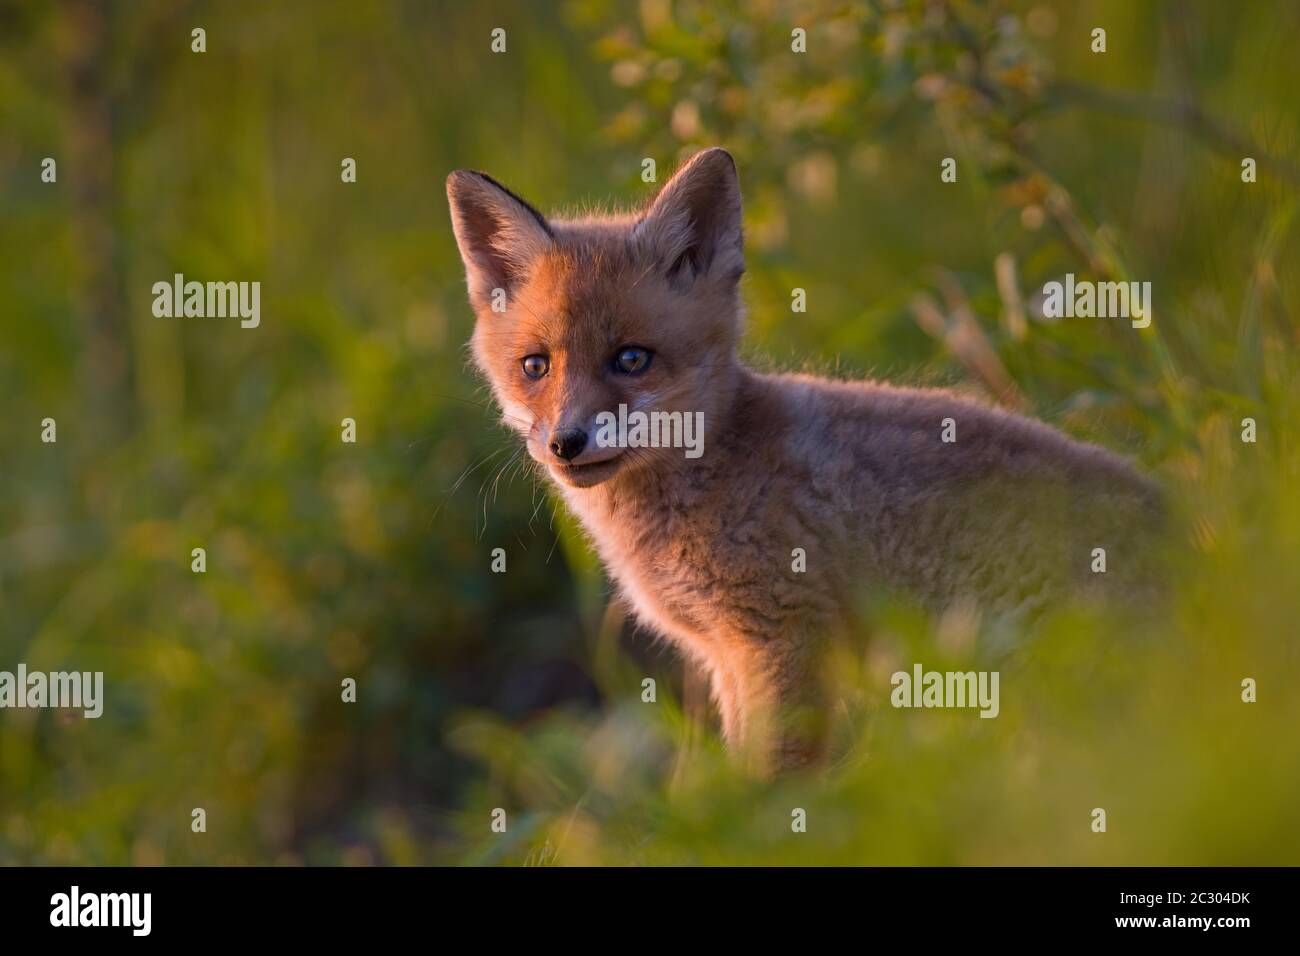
(523,690)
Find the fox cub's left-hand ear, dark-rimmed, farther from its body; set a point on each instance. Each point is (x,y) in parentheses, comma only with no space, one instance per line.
(499,233)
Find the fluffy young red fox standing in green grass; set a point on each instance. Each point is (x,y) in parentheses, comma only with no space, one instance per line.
(803,492)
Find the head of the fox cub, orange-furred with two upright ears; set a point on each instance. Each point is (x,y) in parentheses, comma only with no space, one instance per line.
(580,317)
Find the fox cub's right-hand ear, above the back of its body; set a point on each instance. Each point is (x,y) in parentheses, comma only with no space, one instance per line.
(694,227)
